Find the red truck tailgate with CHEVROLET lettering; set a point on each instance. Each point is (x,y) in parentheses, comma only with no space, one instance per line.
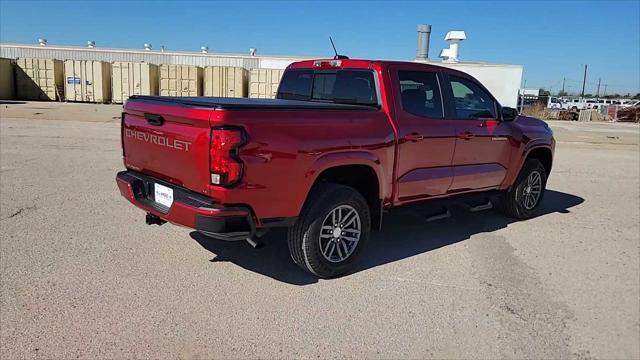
(168,141)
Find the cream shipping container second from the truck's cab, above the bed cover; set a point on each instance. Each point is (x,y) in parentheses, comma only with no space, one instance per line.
(222,81)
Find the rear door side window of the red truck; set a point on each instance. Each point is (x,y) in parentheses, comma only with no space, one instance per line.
(420,93)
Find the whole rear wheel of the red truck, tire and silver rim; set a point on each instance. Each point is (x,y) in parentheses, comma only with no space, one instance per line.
(332,230)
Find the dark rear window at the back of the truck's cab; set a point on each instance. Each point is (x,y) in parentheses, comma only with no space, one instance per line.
(339,86)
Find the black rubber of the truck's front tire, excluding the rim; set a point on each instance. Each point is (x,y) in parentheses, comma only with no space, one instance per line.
(513,201)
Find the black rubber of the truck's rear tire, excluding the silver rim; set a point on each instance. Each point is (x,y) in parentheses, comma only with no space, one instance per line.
(304,236)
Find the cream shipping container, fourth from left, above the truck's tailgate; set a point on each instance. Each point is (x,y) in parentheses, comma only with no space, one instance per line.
(133,79)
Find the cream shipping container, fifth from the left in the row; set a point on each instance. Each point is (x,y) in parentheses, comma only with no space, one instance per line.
(180,80)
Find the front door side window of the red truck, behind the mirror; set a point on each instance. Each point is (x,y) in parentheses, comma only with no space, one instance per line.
(471,102)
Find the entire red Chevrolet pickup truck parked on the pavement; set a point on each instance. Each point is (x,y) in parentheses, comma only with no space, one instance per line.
(344,141)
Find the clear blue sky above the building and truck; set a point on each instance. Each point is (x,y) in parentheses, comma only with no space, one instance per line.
(551,39)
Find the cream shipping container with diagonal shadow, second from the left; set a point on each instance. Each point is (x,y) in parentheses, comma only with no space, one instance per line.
(39,79)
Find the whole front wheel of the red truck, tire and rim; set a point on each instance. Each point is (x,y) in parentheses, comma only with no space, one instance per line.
(525,196)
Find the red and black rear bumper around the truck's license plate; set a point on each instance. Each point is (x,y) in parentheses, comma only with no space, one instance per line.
(189,209)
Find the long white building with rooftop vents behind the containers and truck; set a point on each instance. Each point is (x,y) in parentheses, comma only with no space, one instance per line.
(503,80)
